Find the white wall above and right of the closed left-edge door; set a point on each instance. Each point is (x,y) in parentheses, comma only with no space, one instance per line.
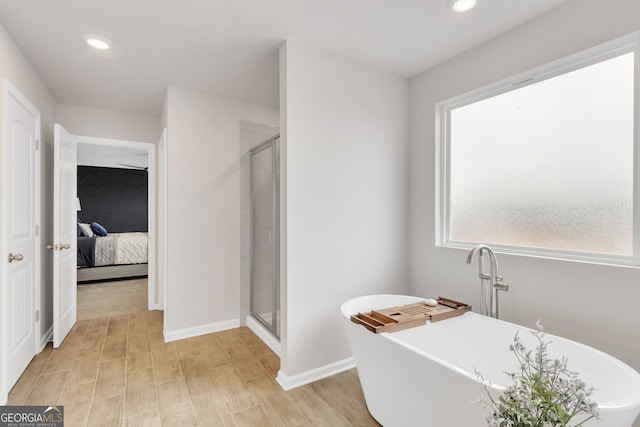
(15,67)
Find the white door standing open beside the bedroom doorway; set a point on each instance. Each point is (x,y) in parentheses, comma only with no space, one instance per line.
(64,233)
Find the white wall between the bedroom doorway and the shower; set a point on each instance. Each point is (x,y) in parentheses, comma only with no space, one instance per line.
(203,171)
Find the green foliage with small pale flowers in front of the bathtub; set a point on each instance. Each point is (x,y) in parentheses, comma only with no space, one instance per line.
(544,392)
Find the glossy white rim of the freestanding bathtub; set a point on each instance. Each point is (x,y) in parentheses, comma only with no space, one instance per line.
(629,402)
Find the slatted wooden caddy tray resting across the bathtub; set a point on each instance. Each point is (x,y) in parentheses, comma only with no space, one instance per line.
(410,315)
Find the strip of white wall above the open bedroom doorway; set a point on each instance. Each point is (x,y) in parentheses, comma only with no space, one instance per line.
(109,124)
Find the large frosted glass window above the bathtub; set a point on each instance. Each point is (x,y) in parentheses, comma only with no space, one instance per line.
(547,164)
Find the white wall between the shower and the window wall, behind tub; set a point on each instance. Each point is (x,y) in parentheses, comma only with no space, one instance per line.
(344,143)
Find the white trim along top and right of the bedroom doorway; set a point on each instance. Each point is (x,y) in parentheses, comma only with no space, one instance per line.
(152,303)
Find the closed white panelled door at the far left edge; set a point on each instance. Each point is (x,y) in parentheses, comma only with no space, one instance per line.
(21,213)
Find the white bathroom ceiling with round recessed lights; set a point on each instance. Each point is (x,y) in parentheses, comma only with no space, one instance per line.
(229,47)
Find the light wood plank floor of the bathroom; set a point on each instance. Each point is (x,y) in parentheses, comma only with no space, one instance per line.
(117,370)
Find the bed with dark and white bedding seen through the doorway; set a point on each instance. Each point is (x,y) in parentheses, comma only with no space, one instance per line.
(116,255)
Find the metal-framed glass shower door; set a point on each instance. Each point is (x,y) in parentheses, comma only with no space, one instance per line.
(265,242)
